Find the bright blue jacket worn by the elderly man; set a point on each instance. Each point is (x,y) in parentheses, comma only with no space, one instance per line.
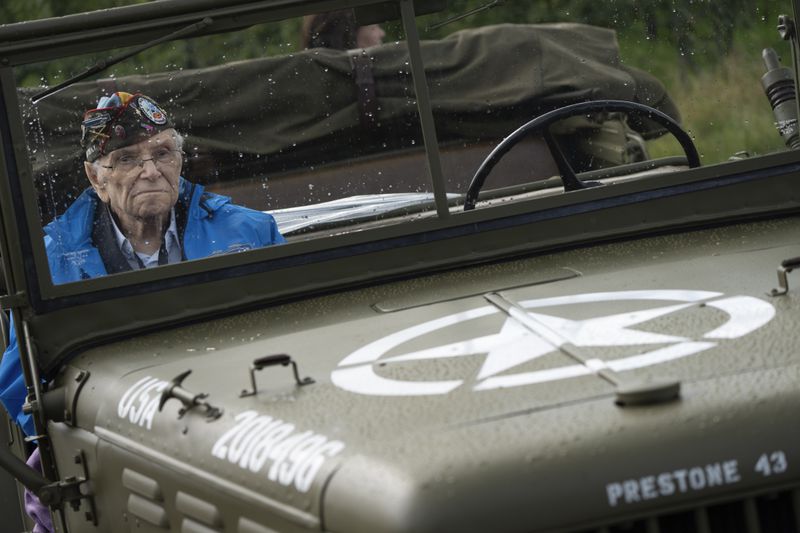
(211,226)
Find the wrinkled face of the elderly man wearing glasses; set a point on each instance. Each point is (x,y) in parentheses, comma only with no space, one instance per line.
(142,181)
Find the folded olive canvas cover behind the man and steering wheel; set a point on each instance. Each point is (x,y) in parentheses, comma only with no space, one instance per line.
(303,109)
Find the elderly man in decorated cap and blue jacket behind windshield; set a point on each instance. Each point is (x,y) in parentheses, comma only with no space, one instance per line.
(138,213)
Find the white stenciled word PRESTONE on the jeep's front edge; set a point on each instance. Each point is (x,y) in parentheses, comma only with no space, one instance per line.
(681,480)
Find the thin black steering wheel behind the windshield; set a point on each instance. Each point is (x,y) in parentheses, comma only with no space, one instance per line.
(568,177)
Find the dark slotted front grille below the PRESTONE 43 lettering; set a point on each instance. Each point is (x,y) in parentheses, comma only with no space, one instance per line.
(777,512)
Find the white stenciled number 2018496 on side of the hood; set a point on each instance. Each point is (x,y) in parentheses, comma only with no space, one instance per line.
(265,444)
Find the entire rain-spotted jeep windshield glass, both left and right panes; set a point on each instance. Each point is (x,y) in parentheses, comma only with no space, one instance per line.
(312,127)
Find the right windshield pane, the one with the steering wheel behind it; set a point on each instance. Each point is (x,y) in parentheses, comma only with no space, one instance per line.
(700,63)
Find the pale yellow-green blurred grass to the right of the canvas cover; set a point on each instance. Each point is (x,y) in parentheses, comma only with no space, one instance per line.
(720,97)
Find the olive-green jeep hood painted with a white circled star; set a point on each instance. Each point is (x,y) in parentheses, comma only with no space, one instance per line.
(435,409)
